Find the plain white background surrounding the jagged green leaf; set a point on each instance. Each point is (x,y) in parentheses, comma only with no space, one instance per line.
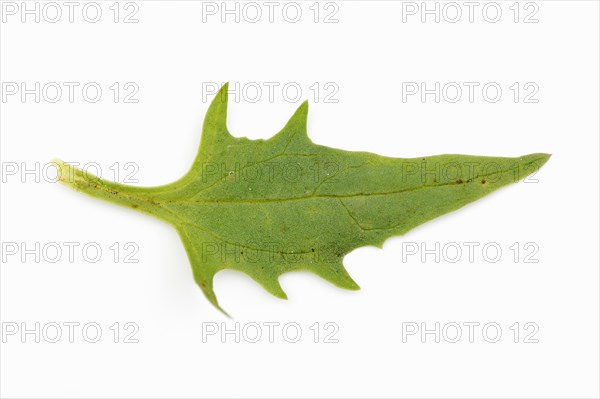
(171,54)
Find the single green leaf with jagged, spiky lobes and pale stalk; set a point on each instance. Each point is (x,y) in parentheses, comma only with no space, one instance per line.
(268,207)
